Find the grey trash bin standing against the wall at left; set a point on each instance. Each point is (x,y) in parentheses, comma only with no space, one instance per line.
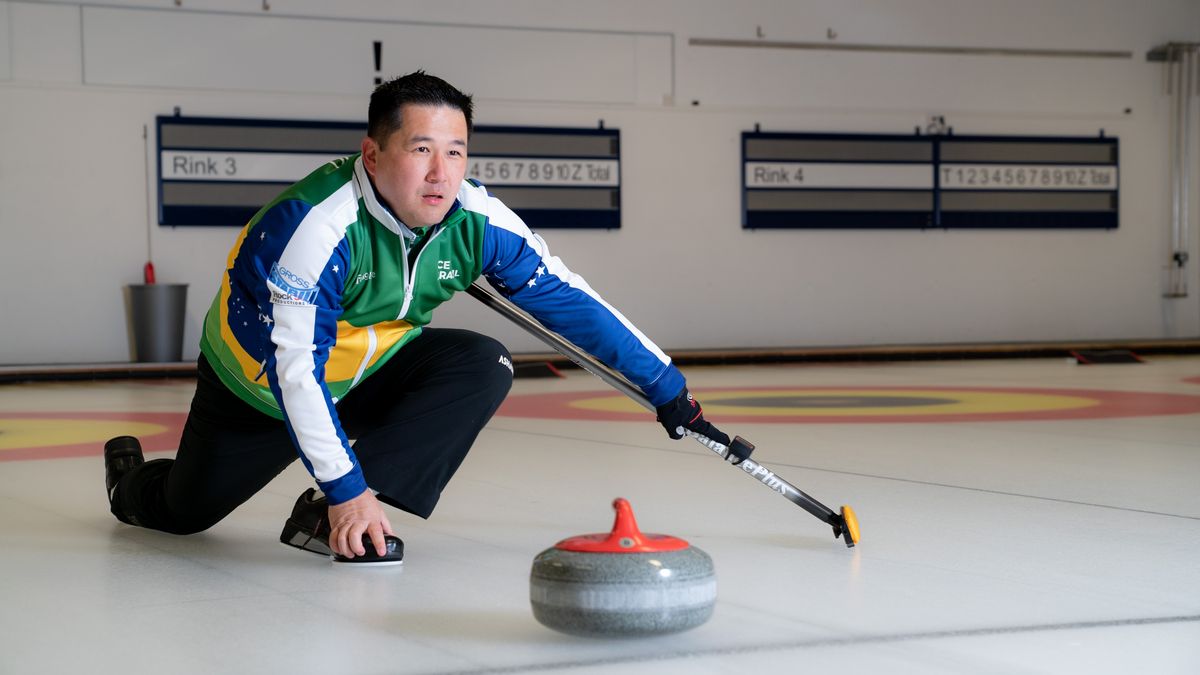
(158,313)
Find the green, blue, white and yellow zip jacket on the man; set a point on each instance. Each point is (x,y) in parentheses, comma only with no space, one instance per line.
(325,285)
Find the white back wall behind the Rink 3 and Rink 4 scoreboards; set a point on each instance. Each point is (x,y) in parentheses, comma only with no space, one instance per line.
(79,81)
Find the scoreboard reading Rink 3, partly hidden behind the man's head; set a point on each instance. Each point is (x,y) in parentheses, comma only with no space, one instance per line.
(221,171)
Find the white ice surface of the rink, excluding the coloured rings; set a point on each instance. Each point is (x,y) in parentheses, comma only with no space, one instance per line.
(988,547)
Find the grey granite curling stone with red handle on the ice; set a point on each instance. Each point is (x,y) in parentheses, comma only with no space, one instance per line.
(622,584)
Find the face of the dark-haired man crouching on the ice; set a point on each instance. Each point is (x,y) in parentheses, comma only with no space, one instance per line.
(422,165)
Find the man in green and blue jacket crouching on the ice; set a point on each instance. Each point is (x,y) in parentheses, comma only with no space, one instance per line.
(319,336)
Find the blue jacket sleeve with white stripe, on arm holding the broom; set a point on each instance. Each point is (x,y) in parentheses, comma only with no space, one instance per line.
(518,264)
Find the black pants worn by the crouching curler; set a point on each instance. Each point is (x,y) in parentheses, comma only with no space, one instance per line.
(413,423)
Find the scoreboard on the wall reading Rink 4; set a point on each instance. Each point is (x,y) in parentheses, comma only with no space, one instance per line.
(847,181)
